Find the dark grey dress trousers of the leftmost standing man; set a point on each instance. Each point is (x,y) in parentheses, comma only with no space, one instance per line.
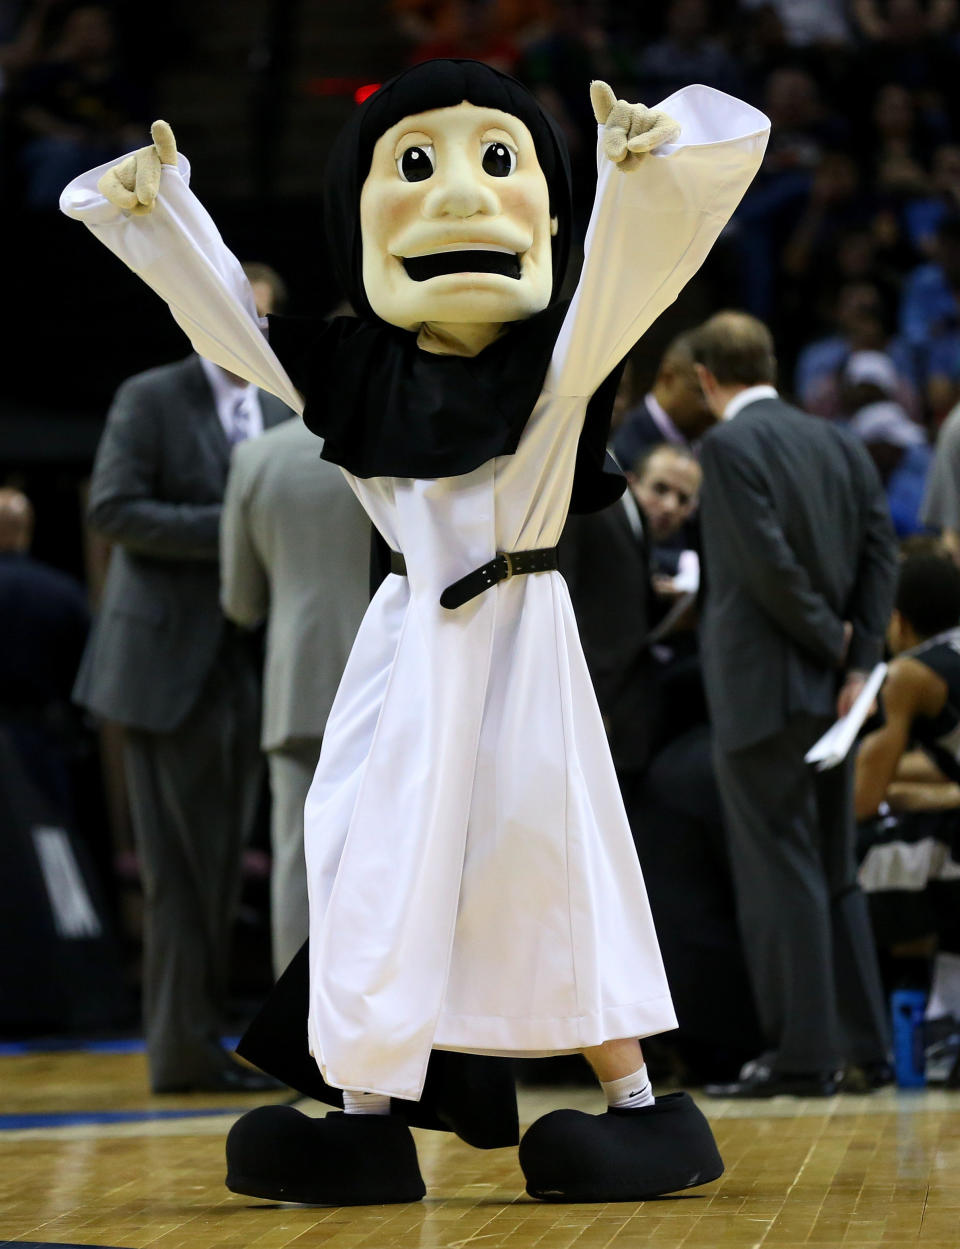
(194,800)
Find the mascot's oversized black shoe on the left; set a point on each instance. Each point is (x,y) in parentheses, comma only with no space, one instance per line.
(345,1160)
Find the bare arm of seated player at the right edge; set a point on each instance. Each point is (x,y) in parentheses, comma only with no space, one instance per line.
(907,695)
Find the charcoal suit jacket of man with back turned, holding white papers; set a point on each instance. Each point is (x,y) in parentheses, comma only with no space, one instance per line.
(797,540)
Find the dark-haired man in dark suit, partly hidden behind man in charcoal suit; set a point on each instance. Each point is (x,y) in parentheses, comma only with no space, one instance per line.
(673,412)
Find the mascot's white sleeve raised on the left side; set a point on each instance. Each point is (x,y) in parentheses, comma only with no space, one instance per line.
(178,252)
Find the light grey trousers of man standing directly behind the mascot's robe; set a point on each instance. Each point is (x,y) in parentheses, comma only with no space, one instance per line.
(291,773)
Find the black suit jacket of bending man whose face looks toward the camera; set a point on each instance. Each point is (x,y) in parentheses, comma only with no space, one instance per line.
(607,569)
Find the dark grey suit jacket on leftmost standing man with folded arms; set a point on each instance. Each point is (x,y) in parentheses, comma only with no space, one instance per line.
(157,493)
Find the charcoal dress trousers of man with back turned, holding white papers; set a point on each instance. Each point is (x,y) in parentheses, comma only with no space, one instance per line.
(803,920)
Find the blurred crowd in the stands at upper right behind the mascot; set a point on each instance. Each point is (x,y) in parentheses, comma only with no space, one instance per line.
(848,243)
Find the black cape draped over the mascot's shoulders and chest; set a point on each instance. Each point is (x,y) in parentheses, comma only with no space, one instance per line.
(388,409)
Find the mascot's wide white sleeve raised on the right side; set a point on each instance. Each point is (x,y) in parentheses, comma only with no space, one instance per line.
(651,230)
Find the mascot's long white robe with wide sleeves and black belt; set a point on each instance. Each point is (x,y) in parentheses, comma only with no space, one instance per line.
(474,884)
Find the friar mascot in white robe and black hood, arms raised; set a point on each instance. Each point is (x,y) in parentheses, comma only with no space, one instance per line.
(474,887)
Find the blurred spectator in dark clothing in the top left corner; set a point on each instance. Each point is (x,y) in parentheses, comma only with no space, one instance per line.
(77,108)
